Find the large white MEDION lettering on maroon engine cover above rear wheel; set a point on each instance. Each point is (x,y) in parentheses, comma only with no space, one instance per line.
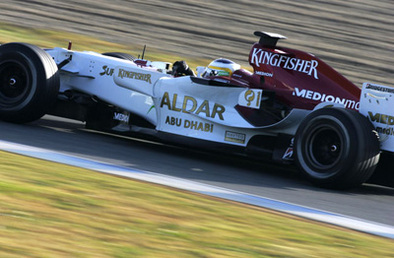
(314,95)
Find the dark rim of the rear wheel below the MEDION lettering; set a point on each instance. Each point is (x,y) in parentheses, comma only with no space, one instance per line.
(324,149)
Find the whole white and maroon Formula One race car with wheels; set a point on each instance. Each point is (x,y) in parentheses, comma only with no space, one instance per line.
(293,108)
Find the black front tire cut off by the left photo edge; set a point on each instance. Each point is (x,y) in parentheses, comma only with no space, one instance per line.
(29,82)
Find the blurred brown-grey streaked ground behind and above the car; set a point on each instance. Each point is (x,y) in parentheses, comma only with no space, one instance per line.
(355,37)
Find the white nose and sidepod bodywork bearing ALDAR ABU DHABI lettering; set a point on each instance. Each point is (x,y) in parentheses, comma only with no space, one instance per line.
(173,105)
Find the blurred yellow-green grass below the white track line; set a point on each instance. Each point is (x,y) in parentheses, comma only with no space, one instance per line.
(54,210)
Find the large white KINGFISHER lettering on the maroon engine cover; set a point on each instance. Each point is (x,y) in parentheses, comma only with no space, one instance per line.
(260,57)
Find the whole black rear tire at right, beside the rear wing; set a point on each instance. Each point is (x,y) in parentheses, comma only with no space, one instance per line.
(336,148)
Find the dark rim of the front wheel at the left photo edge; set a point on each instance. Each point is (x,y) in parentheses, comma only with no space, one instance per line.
(14,83)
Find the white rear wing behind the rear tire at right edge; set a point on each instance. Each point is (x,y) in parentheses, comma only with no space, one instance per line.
(377,103)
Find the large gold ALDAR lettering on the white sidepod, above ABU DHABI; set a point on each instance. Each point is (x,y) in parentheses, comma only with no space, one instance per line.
(191,105)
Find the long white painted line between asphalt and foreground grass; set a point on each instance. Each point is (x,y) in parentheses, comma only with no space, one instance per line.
(305,212)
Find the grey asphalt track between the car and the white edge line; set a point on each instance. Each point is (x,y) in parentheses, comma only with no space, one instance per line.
(368,202)
